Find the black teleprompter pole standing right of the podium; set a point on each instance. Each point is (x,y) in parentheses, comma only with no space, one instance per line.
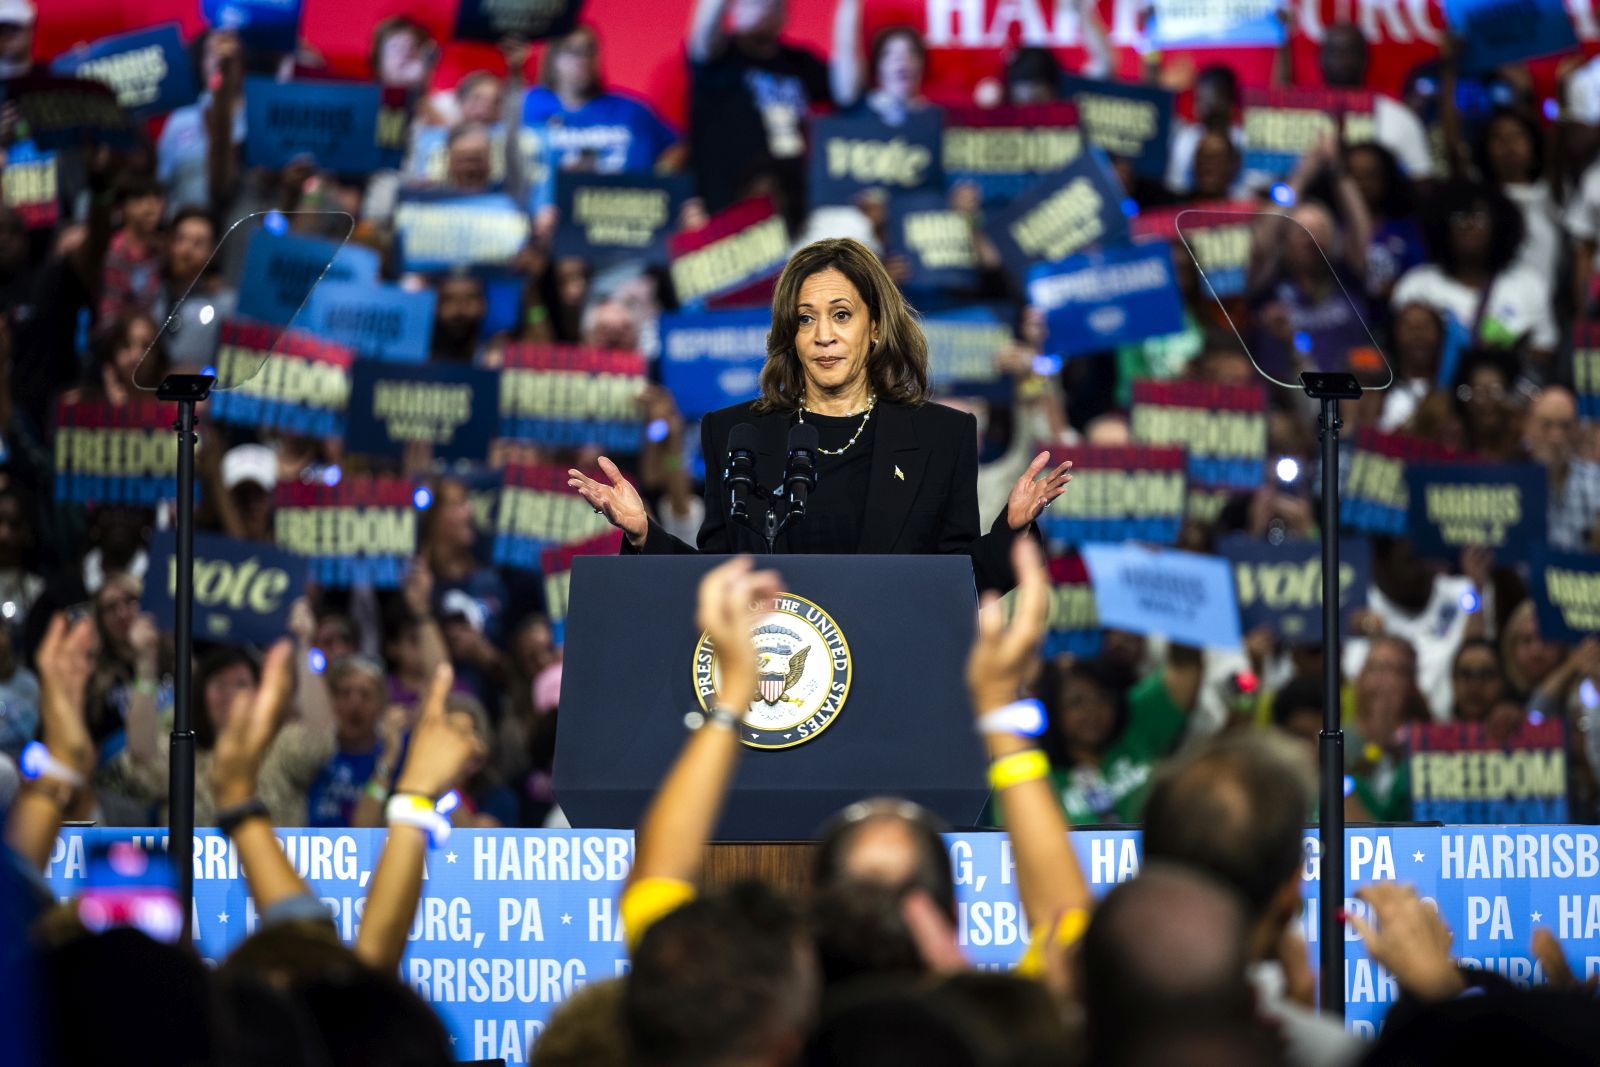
(1330,390)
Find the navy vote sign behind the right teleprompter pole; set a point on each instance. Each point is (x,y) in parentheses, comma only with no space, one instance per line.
(1281,585)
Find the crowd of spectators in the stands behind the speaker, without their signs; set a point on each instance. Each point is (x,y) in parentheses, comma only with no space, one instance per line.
(1463,236)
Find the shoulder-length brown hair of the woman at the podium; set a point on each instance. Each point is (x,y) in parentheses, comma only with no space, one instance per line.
(897,367)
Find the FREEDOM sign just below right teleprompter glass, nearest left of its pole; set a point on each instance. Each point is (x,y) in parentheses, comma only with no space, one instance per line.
(1225,428)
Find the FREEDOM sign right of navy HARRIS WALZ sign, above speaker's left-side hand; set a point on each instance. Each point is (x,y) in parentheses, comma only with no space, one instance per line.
(569,396)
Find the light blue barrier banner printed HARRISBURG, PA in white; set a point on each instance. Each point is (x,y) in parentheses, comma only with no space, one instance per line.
(511,922)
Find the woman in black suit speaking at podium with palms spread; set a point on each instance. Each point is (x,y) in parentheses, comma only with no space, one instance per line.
(895,474)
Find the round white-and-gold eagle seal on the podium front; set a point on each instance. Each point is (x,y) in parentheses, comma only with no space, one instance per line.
(802,666)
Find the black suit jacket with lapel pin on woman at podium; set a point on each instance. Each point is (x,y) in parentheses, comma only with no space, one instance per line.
(930,510)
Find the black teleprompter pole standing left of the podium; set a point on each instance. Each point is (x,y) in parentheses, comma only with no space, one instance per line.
(186,391)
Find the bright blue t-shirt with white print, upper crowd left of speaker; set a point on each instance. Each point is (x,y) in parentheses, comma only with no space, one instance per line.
(617,134)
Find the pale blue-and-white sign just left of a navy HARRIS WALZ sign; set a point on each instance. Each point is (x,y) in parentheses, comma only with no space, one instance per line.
(439,233)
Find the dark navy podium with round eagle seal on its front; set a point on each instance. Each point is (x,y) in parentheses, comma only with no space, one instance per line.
(892,631)
